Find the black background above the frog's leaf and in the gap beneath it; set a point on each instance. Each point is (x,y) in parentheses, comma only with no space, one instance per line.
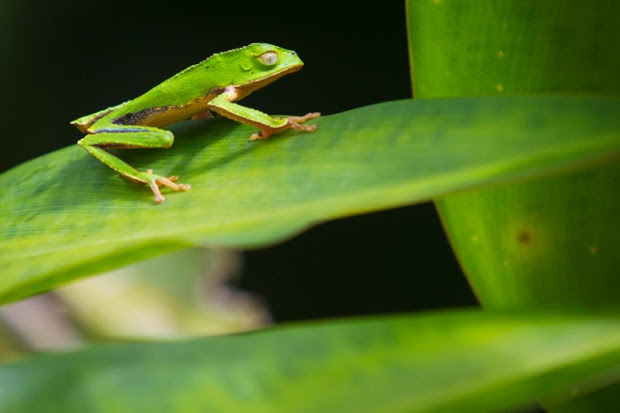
(64,59)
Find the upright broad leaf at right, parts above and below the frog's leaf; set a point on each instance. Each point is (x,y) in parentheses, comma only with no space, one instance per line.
(540,243)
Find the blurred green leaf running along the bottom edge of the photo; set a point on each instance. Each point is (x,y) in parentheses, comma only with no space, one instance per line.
(466,361)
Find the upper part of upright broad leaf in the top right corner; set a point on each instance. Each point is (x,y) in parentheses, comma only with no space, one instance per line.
(469,48)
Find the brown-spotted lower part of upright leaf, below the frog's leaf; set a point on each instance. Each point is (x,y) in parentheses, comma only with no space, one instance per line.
(532,243)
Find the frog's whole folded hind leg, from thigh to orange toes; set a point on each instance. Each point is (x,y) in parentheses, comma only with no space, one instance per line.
(132,137)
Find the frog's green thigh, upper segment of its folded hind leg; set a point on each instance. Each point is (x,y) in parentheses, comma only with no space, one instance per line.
(128,138)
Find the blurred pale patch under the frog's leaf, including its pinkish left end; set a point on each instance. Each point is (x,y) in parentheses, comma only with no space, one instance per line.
(177,295)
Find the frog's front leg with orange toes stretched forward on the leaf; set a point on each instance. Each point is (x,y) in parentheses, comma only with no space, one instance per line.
(223,104)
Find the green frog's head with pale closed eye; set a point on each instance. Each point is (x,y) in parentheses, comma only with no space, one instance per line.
(262,63)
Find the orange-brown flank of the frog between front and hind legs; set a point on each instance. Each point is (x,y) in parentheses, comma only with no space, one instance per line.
(165,115)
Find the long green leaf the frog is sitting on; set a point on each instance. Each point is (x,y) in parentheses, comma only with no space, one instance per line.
(66,215)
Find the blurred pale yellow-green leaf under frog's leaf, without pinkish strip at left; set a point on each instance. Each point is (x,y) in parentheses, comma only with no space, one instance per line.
(176,295)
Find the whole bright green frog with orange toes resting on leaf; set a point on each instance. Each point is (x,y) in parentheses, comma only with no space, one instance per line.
(212,85)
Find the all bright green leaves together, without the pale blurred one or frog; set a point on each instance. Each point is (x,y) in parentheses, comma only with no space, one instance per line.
(505,157)
